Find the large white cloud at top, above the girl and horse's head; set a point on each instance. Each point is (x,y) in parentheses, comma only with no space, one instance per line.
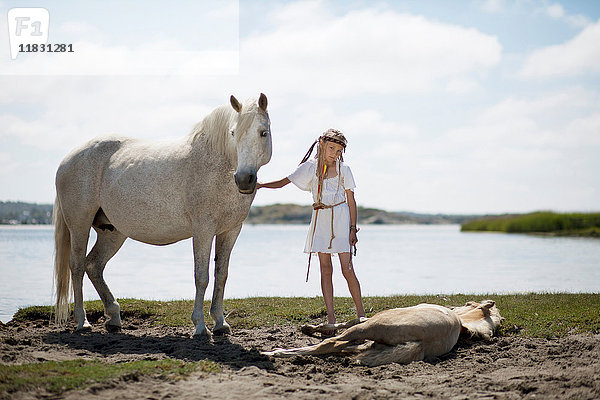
(313,52)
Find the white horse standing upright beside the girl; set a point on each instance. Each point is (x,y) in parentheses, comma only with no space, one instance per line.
(200,186)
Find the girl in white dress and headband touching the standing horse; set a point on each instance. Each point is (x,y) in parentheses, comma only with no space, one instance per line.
(333,224)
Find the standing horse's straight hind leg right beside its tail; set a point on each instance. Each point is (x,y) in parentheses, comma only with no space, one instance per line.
(79,239)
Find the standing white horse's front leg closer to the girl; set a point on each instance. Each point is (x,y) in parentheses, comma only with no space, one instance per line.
(223,246)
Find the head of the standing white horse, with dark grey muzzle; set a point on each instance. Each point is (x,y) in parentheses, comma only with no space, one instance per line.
(252,136)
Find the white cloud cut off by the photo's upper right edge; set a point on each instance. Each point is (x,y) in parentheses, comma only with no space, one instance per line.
(577,56)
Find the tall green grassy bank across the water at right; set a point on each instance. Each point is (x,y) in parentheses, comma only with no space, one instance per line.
(570,224)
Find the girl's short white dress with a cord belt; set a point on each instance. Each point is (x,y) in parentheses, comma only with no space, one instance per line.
(334,192)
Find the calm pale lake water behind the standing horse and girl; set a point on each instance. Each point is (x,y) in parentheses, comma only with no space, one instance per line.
(268,261)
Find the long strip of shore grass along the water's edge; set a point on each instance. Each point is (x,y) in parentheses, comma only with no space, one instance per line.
(533,314)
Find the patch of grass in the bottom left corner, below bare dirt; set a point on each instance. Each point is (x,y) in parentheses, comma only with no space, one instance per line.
(58,377)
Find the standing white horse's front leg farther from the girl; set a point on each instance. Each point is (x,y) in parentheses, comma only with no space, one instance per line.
(202,244)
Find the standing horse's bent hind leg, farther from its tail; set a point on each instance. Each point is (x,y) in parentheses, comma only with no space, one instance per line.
(107,244)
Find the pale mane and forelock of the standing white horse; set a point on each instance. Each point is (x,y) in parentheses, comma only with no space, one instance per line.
(215,129)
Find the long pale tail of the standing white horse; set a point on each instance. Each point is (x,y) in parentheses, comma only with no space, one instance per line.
(62,270)
